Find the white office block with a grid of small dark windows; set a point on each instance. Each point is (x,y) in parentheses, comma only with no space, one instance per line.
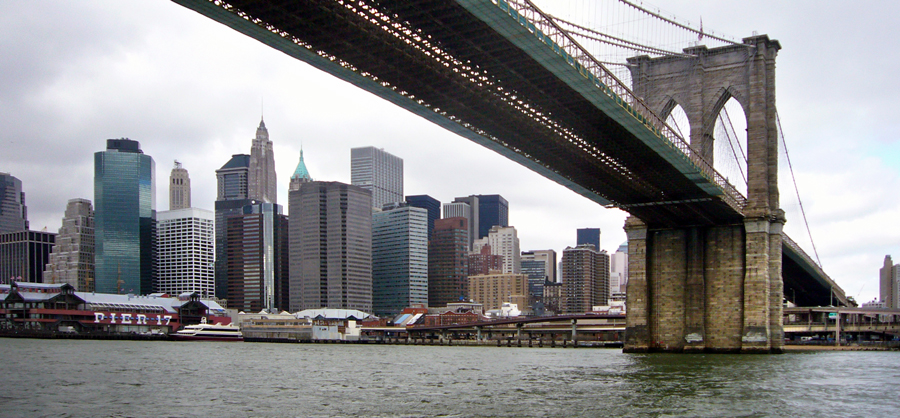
(185,251)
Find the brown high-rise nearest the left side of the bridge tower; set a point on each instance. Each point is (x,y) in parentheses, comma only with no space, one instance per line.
(585,275)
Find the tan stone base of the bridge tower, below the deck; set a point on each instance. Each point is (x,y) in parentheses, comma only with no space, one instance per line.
(704,289)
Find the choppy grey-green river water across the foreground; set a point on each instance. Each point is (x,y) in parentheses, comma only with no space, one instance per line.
(185,379)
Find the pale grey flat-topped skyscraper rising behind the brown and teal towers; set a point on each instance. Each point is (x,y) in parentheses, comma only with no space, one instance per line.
(379,172)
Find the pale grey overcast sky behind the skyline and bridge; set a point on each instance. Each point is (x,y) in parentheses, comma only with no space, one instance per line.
(73,74)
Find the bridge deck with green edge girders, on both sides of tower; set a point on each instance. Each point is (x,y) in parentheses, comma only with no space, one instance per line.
(504,76)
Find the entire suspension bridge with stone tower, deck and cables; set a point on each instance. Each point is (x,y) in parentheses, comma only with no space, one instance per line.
(709,264)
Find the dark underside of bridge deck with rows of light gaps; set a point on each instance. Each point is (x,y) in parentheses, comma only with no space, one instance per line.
(499,91)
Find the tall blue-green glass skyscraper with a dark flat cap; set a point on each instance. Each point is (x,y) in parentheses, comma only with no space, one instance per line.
(124,218)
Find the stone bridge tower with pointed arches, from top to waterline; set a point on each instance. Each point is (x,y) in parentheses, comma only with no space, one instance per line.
(712,288)
